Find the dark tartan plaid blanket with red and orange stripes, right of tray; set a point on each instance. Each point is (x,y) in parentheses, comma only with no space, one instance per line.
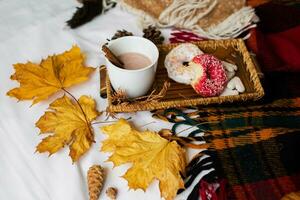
(251,149)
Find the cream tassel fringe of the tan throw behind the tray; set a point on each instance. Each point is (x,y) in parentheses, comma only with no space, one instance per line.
(186,14)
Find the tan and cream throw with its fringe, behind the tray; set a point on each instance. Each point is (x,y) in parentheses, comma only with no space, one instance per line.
(213,19)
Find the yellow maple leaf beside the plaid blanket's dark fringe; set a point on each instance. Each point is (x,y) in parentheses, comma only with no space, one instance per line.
(152,157)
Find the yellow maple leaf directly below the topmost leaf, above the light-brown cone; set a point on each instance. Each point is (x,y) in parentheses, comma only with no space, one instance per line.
(69,124)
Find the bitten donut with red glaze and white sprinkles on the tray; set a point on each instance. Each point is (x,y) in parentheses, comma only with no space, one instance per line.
(209,75)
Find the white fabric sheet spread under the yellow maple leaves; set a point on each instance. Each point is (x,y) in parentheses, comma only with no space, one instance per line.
(31,30)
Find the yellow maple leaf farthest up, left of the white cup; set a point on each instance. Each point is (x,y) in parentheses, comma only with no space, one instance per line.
(39,81)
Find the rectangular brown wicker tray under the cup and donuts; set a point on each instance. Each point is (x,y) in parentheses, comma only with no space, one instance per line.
(180,95)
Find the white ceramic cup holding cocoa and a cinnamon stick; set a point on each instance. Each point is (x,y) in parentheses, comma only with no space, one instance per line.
(137,82)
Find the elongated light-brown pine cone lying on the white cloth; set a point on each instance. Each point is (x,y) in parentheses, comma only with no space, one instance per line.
(95,178)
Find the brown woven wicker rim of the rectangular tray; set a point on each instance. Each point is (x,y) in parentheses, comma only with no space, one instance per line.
(237,44)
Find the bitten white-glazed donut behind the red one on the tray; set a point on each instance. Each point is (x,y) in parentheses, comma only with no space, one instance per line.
(177,60)
